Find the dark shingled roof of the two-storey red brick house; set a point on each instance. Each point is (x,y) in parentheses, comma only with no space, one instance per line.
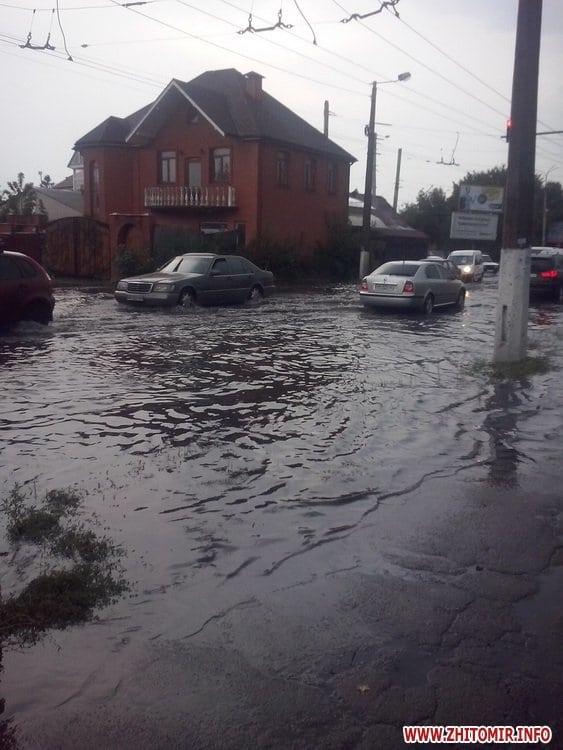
(222,95)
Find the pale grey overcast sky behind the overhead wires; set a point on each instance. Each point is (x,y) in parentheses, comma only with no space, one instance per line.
(50,102)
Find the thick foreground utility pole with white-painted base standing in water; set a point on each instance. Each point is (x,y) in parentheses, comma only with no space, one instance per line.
(514,282)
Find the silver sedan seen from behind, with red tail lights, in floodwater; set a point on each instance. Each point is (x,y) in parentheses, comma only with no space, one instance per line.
(412,285)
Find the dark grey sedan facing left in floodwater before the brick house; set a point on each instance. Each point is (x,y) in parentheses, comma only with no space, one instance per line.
(198,278)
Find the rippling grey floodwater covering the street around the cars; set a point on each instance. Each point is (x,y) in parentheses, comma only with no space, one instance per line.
(222,447)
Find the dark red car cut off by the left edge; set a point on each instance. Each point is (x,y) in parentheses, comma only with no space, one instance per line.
(26,290)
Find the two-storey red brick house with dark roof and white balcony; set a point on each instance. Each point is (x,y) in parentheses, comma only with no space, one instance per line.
(215,154)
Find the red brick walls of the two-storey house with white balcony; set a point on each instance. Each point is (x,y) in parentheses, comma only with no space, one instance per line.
(283,214)
